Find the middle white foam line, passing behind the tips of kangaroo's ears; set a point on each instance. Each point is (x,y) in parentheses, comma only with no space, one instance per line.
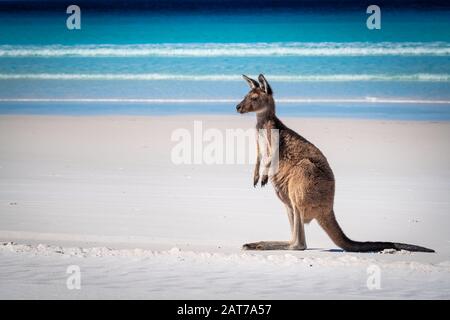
(425,77)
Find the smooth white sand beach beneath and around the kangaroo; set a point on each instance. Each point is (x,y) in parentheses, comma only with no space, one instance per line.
(102,193)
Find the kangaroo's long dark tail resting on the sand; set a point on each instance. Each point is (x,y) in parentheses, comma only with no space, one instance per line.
(334,231)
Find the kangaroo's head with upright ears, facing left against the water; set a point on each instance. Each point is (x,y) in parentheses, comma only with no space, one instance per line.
(259,99)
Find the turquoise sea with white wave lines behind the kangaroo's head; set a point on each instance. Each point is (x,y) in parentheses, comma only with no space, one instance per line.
(319,63)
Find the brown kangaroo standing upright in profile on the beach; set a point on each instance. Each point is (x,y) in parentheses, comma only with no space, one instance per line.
(304,181)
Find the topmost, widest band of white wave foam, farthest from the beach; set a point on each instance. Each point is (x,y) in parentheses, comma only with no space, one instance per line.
(233,49)
